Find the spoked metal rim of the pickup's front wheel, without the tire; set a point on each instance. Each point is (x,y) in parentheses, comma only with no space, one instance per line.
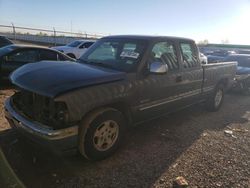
(106,135)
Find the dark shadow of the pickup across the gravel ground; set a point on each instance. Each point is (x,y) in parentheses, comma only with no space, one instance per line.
(148,151)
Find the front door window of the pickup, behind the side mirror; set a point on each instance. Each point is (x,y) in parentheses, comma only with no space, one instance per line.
(165,52)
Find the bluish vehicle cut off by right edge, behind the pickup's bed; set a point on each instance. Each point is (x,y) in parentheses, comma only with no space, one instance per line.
(243,72)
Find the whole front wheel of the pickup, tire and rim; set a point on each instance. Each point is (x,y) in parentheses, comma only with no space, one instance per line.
(100,133)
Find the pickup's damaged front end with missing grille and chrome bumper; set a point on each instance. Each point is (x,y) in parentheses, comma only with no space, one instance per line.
(42,120)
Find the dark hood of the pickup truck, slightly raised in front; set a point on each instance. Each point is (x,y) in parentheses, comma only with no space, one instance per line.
(51,78)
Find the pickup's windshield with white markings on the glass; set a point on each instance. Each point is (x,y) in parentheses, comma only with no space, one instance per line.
(118,54)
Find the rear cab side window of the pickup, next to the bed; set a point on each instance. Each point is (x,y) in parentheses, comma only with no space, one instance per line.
(189,56)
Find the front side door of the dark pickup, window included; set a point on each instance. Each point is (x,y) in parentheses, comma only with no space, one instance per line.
(160,93)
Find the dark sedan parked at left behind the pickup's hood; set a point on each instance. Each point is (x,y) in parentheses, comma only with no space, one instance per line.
(14,56)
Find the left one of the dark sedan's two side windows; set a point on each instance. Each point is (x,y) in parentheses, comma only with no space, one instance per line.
(24,56)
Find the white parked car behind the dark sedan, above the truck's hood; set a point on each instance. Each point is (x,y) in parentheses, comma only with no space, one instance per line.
(76,48)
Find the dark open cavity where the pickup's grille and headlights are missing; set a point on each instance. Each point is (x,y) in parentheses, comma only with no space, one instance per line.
(41,109)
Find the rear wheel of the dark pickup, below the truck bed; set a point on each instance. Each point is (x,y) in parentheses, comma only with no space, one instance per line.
(216,99)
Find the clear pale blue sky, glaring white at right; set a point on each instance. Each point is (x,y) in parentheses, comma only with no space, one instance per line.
(214,20)
